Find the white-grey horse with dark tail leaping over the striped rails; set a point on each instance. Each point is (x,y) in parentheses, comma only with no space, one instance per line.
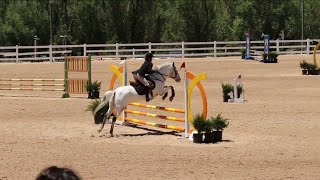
(119,98)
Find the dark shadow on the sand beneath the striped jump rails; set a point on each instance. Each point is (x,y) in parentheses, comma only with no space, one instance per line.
(151,132)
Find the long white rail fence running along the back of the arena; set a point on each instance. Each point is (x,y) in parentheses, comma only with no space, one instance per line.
(54,53)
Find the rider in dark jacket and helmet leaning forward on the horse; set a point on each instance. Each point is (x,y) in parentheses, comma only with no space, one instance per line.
(140,74)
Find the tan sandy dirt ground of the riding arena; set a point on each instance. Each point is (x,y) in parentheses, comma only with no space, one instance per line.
(274,135)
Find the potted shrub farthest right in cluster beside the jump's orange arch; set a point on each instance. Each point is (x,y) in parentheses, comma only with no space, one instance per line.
(219,123)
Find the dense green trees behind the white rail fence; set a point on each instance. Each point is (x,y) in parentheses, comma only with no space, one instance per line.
(135,21)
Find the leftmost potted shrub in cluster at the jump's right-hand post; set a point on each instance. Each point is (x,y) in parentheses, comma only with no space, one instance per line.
(199,124)
